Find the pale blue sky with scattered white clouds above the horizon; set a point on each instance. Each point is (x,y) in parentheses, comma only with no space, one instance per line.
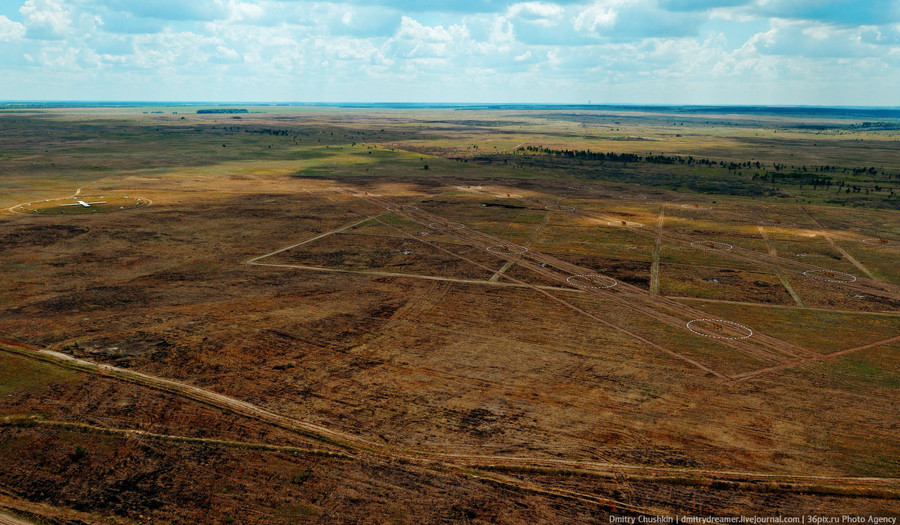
(779,52)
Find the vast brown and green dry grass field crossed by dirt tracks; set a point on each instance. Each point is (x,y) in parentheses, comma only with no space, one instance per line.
(407,316)
